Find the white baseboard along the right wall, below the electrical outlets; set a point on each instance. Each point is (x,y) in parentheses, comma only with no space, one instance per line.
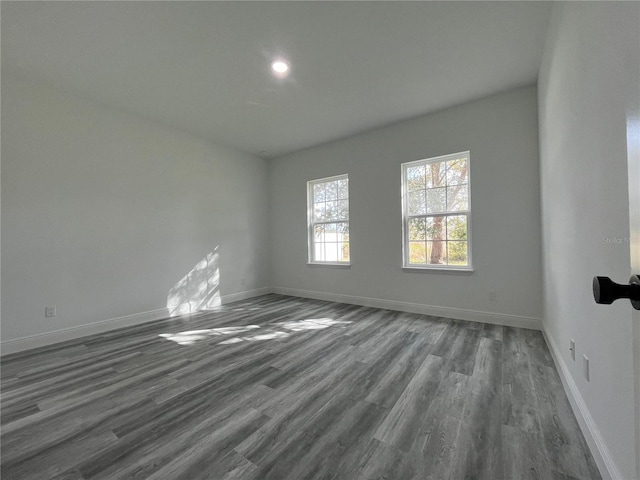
(592,435)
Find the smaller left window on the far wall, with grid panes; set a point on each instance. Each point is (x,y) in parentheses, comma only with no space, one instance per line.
(328,219)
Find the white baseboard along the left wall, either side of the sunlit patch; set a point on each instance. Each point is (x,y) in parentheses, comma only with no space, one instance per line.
(71,333)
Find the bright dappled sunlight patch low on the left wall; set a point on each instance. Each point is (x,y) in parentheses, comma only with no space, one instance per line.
(199,289)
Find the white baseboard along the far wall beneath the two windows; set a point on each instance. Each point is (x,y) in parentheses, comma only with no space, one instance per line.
(436,311)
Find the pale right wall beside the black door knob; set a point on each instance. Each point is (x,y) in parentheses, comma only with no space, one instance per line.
(590,59)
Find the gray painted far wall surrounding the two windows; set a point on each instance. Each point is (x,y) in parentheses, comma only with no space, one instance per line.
(501,132)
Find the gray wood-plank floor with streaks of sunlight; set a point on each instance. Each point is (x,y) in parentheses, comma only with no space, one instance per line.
(286,388)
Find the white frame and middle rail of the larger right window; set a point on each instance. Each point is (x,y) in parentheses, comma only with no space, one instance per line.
(405,217)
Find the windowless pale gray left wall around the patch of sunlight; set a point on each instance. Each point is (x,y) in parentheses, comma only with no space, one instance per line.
(103,214)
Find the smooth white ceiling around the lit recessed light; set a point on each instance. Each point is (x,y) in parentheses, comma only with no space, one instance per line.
(203,67)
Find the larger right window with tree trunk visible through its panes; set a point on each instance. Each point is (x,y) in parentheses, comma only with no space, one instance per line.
(436,213)
